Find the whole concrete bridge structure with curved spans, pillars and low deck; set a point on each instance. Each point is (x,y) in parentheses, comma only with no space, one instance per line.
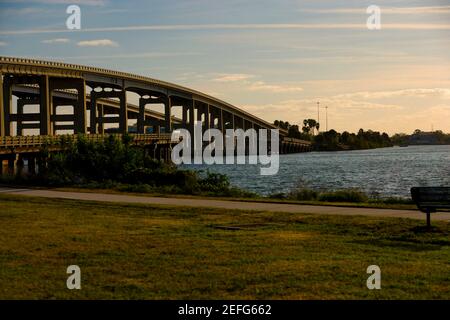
(97,99)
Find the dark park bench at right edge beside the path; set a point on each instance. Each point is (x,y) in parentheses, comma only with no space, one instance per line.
(431,199)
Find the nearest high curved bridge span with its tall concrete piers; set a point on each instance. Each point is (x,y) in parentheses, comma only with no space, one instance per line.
(53,76)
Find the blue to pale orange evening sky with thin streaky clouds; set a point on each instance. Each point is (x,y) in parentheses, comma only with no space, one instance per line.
(275,59)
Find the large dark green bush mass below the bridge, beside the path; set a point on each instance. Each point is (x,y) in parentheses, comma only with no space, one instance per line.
(116,163)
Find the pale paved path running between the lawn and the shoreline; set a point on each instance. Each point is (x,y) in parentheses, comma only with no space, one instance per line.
(225,204)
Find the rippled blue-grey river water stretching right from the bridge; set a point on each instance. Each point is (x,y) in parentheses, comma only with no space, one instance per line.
(383,172)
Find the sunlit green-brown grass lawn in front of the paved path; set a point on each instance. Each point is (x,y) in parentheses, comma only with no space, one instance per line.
(157,252)
